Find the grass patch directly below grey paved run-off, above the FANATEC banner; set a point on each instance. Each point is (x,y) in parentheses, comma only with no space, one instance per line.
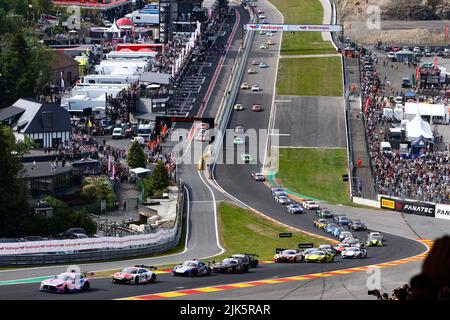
(315,172)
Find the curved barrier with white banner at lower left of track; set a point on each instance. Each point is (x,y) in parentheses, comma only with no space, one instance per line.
(162,245)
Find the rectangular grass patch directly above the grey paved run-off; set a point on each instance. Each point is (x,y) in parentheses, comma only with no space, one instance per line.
(310,77)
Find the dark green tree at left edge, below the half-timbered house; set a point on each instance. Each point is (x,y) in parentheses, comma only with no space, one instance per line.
(13,191)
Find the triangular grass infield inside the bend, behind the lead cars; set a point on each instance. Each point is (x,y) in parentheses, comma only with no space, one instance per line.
(243,231)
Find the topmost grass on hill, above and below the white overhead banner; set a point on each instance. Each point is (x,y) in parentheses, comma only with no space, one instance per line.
(302,12)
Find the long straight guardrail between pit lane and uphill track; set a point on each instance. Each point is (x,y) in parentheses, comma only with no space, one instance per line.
(226,104)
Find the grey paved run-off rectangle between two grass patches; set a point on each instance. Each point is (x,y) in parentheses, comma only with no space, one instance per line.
(297,118)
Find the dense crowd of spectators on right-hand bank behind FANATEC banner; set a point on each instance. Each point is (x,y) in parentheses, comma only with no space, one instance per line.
(425,178)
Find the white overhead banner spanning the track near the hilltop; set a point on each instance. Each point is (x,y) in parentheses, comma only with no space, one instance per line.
(294,27)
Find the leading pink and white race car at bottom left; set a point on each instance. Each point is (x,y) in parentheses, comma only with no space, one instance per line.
(67,282)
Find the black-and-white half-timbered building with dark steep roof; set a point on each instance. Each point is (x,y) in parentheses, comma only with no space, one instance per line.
(46,124)
